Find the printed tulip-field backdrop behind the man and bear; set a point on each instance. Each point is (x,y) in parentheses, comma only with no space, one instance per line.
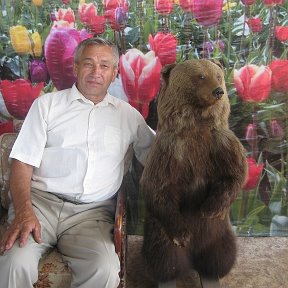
(249,38)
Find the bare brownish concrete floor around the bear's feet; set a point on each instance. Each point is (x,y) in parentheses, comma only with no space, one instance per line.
(261,263)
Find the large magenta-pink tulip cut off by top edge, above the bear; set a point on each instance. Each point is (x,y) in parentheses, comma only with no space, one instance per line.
(207,12)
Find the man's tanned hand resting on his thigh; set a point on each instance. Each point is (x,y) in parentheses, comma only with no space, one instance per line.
(23,224)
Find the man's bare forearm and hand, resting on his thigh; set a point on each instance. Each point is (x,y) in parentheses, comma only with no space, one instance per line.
(25,221)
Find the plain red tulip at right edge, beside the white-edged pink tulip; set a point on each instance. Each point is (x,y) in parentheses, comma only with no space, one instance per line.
(279,70)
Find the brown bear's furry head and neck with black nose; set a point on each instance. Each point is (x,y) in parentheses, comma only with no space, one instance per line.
(193,92)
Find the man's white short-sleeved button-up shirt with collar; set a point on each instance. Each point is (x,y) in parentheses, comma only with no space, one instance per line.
(78,148)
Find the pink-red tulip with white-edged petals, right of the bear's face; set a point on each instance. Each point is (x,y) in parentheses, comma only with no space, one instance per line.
(253,83)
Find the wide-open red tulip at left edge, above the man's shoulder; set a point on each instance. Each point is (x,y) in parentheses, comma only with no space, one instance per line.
(19,96)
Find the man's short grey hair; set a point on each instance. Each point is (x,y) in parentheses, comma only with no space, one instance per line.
(97,41)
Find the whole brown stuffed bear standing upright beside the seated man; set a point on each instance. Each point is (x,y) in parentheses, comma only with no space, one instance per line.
(193,172)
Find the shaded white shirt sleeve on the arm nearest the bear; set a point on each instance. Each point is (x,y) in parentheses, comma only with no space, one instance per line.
(144,138)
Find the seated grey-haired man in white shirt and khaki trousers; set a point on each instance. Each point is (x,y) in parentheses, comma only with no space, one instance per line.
(67,166)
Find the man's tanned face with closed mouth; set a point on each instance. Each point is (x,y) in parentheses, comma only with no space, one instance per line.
(95,71)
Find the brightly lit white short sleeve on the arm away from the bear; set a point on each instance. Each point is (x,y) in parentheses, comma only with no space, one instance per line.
(30,143)
